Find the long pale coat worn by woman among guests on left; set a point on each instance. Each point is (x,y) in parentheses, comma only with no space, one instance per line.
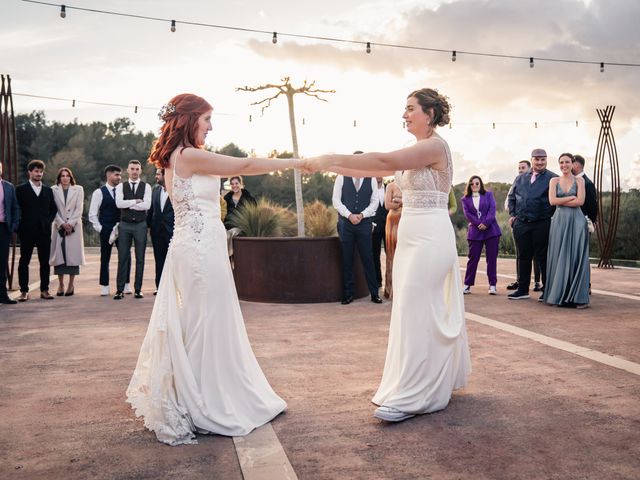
(69,211)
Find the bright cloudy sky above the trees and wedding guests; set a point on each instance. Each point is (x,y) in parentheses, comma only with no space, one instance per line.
(112,59)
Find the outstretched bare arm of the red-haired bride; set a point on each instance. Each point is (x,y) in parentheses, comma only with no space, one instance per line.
(194,160)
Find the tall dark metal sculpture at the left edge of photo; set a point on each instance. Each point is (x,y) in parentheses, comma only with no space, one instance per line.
(8,153)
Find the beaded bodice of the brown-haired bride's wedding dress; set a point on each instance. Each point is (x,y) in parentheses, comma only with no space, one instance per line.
(426,187)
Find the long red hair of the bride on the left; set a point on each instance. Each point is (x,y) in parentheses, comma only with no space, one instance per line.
(180,126)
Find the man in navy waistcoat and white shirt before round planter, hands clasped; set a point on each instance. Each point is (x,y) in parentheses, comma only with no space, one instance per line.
(356,200)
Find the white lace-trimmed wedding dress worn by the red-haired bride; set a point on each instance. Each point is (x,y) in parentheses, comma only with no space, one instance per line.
(196,371)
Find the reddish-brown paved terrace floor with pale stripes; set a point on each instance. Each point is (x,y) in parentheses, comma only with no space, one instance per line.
(554,394)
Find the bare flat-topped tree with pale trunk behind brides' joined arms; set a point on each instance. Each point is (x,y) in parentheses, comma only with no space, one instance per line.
(285,88)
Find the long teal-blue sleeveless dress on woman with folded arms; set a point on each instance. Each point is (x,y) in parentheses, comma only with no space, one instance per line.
(568,273)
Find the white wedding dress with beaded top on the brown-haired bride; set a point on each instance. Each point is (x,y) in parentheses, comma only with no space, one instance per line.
(428,353)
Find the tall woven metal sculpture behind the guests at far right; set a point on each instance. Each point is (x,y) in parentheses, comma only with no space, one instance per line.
(606,230)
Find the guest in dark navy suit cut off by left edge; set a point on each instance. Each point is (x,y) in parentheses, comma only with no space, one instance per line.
(9,216)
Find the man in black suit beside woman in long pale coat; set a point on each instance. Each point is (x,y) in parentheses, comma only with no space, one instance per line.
(37,211)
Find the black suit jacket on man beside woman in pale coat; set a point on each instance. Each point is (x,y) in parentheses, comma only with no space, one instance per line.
(36,211)
